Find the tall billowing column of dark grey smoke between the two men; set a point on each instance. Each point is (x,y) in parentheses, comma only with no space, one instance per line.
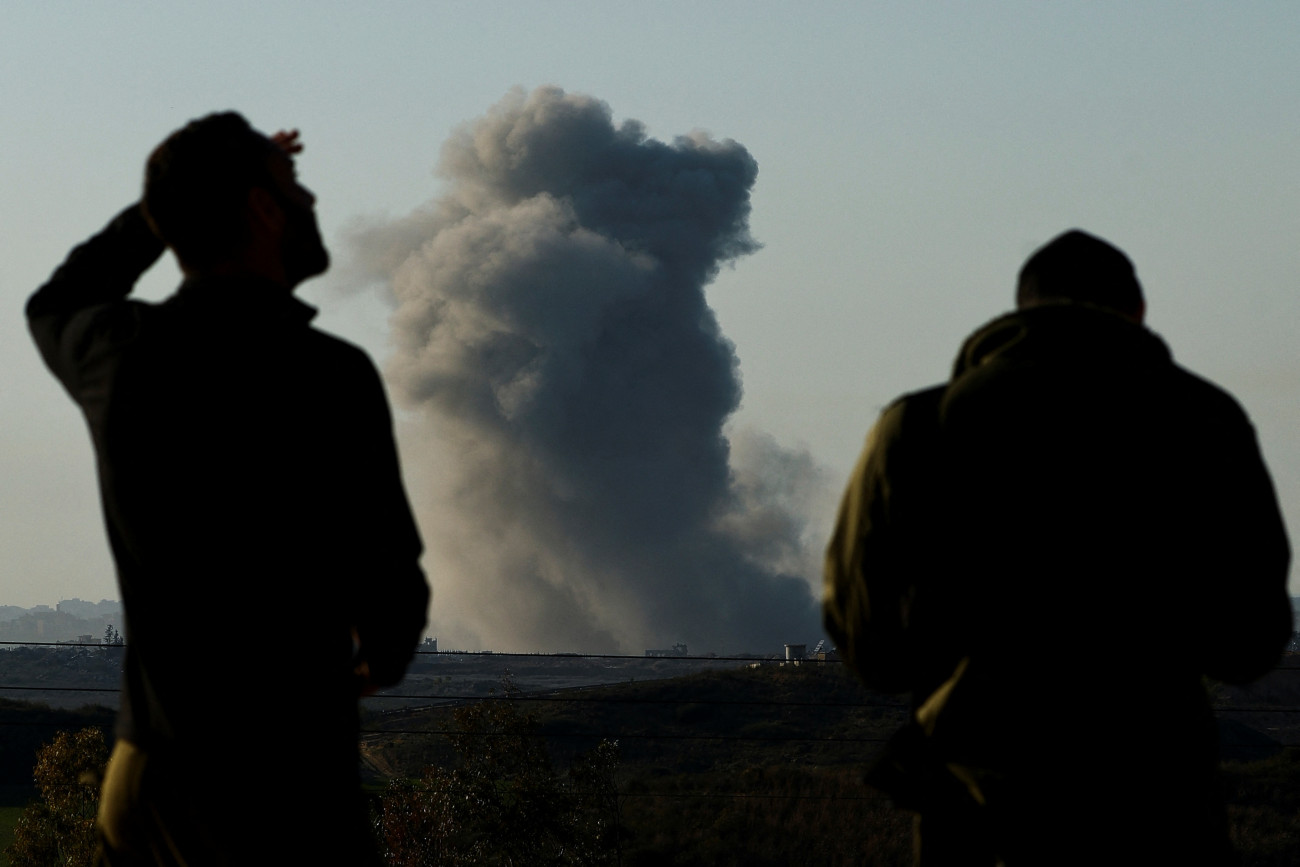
(553,340)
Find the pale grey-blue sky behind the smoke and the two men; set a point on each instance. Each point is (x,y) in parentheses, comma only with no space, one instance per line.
(911,158)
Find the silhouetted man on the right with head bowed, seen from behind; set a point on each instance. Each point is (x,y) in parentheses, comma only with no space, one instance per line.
(1050,553)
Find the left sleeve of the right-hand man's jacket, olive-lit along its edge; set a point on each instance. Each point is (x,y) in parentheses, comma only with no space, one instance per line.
(876,560)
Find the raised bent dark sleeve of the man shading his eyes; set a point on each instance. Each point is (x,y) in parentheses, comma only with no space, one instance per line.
(76,314)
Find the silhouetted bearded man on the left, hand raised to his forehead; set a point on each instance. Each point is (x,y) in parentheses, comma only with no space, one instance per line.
(265,548)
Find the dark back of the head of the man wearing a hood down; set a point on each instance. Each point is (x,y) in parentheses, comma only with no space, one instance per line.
(1078,267)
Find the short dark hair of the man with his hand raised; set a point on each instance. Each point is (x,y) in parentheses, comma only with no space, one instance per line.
(197,185)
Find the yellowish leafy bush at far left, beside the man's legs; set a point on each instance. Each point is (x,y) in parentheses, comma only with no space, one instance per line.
(59,829)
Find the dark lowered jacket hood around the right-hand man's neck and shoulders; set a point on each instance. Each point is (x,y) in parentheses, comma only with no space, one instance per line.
(1064,335)
